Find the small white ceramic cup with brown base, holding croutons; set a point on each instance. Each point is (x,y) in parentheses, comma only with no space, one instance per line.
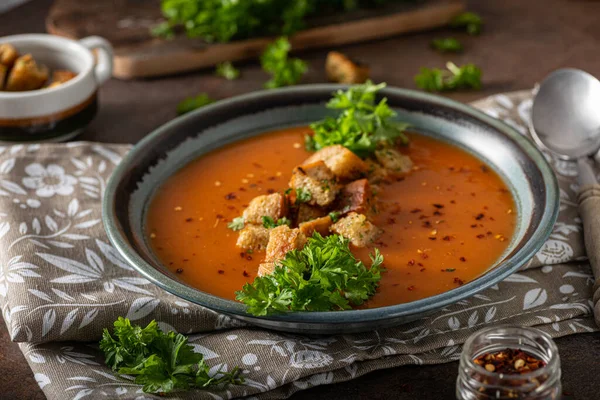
(59,113)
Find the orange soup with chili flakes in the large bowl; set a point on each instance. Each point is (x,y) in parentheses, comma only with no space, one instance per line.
(445,223)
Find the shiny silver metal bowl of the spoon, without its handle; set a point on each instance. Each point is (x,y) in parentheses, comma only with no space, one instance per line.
(566,114)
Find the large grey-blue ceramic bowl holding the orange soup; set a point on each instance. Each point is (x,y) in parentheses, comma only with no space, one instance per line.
(169,148)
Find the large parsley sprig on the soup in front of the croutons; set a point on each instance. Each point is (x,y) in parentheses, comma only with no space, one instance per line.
(323,276)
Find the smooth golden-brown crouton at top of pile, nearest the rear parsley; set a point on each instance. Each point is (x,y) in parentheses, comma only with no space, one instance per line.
(345,164)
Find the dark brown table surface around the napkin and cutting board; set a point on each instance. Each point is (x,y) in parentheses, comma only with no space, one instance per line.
(523,41)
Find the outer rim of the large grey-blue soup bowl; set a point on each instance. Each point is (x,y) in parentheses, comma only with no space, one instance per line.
(431,303)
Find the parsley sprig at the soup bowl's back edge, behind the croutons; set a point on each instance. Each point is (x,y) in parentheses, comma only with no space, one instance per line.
(362,124)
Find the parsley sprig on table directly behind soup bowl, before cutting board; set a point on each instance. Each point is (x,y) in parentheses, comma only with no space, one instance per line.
(285,71)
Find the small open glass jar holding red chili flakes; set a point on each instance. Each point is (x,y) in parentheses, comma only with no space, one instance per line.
(475,382)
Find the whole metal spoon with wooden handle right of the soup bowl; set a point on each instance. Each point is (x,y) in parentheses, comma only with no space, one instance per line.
(566,121)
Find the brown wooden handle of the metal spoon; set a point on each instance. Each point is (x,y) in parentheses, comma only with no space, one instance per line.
(589,210)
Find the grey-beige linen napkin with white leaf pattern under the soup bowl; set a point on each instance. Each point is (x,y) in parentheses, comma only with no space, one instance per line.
(61,282)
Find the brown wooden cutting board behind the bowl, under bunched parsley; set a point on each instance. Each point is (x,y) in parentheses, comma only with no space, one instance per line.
(126,24)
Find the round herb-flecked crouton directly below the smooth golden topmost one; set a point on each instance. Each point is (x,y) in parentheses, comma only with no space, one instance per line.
(316,179)
